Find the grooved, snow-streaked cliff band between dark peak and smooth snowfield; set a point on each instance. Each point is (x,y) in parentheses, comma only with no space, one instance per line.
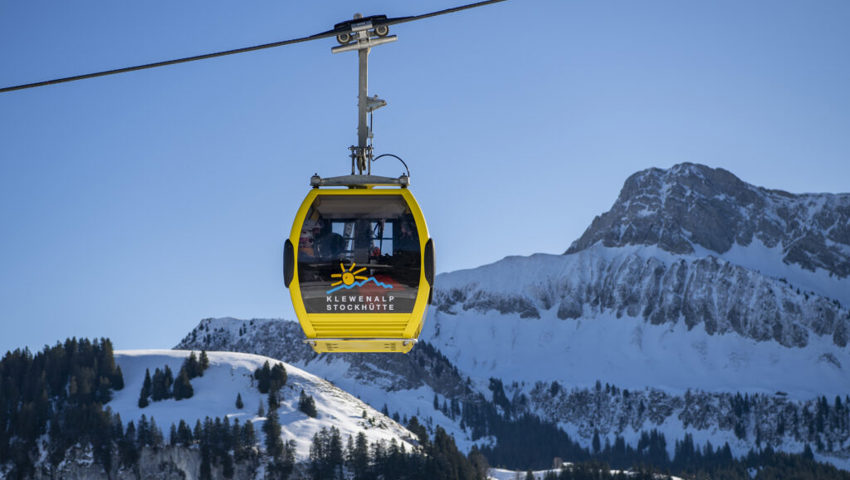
(710,293)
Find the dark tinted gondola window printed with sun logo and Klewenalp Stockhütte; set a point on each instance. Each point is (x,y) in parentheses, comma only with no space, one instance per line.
(359,254)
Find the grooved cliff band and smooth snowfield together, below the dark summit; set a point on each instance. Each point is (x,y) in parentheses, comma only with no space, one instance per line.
(631,320)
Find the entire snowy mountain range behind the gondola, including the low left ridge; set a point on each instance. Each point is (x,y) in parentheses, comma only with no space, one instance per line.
(711,306)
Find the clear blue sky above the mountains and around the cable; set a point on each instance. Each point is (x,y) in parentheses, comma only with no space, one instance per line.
(132,206)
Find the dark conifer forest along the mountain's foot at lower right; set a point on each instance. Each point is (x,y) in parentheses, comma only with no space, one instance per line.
(525,441)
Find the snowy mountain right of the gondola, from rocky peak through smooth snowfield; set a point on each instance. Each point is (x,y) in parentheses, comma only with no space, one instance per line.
(680,304)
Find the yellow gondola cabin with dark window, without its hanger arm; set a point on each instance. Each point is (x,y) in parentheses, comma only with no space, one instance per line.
(359,265)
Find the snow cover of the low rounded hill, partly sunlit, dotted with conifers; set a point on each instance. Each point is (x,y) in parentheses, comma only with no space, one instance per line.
(230,374)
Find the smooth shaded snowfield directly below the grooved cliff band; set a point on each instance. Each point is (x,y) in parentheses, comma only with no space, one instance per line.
(630,353)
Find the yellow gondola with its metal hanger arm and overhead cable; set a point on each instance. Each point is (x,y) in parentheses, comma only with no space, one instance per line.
(359,262)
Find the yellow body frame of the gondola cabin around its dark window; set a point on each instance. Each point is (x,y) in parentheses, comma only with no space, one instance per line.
(361,332)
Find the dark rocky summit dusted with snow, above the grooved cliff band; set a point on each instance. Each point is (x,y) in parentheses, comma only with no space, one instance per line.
(694,205)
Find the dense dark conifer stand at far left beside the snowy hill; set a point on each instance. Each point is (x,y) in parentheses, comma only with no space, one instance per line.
(59,391)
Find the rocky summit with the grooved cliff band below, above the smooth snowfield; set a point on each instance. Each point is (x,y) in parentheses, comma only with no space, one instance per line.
(664,253)
